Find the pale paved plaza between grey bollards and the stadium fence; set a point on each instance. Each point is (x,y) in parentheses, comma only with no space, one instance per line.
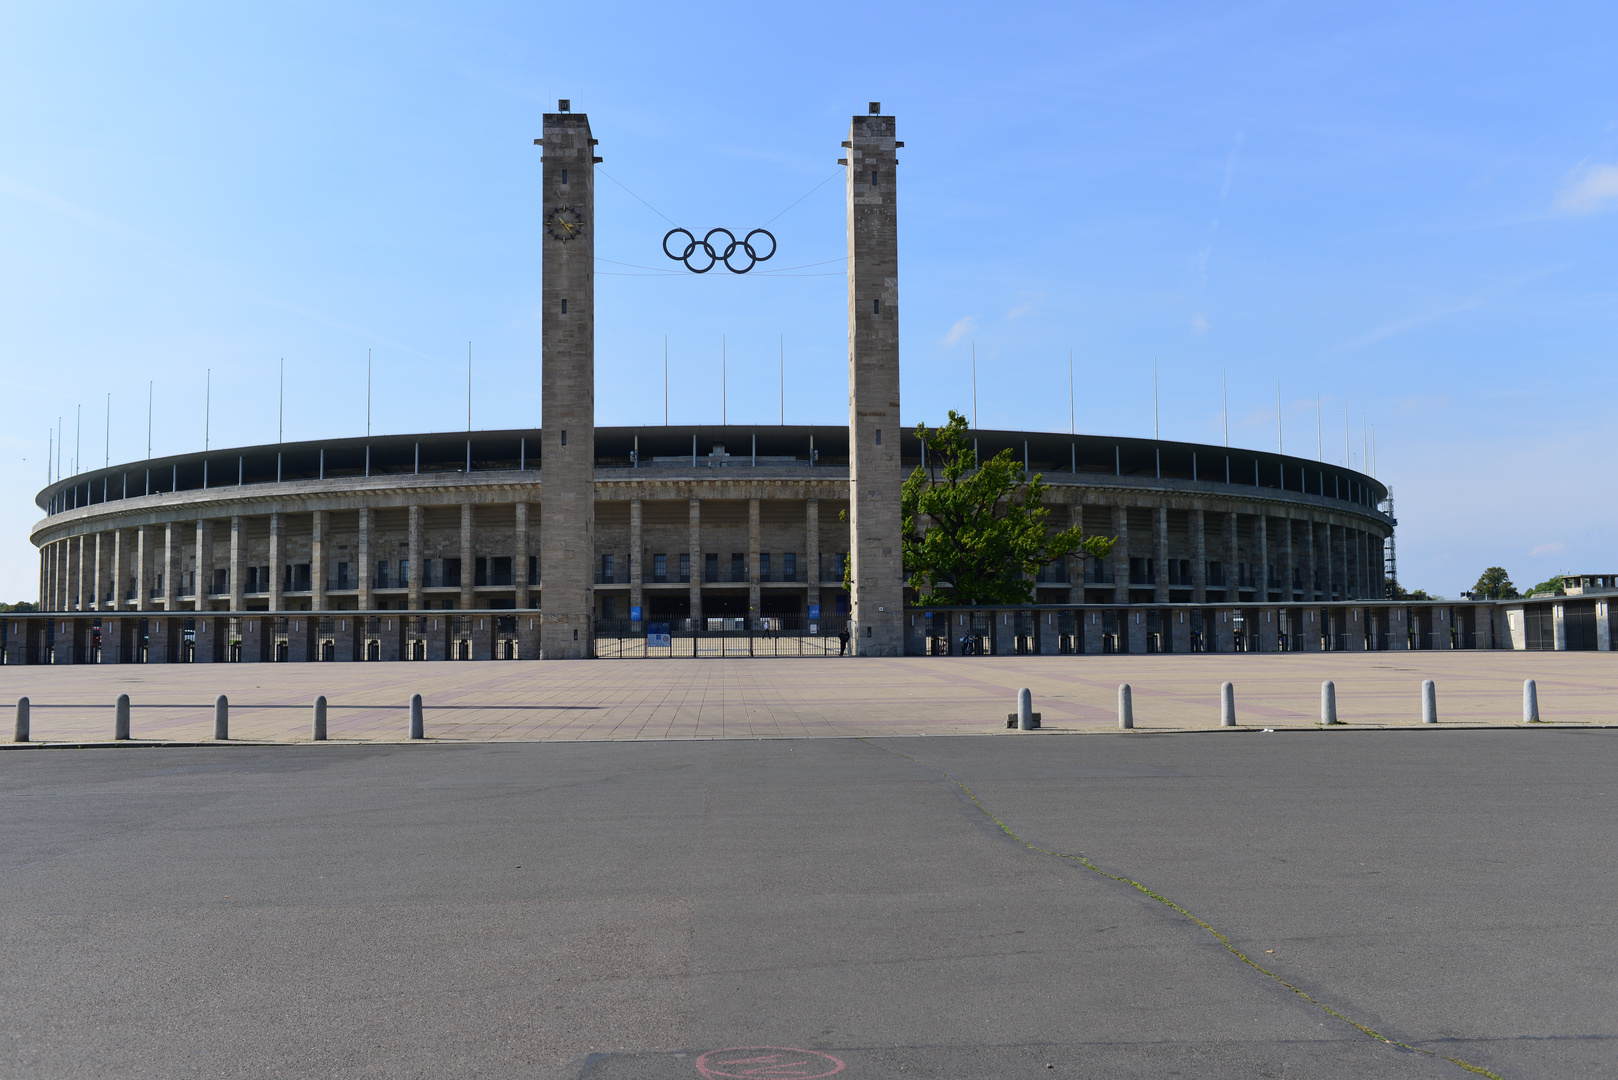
(771,699)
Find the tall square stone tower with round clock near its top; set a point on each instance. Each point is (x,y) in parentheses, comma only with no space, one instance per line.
(567,524)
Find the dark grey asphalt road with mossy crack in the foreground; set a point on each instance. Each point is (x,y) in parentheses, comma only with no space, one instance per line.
(648,911)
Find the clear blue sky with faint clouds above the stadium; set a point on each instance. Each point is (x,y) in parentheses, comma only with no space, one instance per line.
(1410,211)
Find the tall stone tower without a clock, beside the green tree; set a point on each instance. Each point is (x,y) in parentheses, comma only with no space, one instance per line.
(875,470)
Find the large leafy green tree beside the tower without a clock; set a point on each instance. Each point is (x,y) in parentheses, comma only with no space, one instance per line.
(976,532)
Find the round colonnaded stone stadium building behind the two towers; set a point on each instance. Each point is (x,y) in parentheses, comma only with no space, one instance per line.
(692,525)
